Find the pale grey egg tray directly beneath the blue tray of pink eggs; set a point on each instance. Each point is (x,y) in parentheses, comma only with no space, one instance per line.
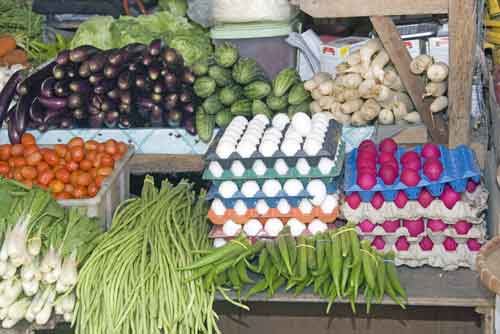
(471,207)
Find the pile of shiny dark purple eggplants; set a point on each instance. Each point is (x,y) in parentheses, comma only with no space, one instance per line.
(135,86)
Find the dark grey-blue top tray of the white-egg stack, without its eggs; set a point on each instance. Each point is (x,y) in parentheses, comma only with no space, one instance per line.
(333,138)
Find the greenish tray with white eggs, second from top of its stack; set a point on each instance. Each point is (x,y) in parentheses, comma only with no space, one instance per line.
(259,169)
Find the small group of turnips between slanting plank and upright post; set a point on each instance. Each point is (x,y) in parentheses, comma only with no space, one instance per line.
(435,75)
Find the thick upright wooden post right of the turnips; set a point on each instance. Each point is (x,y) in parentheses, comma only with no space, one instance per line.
(462,27)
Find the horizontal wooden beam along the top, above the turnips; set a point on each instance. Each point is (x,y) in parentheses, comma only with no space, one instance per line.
(353,8)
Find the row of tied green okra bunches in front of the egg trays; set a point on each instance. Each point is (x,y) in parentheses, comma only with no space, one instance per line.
(336,264)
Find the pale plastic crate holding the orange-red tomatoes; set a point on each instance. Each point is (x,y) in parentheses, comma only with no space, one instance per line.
(114,190)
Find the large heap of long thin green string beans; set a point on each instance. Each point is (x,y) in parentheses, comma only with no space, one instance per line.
(130,283)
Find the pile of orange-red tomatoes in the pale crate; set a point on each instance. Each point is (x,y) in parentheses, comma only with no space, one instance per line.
(69,171)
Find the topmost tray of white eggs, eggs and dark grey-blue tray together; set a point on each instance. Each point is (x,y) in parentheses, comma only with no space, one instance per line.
(256,134)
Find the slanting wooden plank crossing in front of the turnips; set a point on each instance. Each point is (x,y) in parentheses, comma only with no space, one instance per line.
(388,34)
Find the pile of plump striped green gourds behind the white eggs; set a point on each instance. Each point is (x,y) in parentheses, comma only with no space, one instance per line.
(230,86)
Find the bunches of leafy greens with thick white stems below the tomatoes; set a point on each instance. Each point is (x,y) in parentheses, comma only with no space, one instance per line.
(43,247)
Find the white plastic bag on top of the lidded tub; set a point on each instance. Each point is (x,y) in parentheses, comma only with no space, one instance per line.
(209,12)
